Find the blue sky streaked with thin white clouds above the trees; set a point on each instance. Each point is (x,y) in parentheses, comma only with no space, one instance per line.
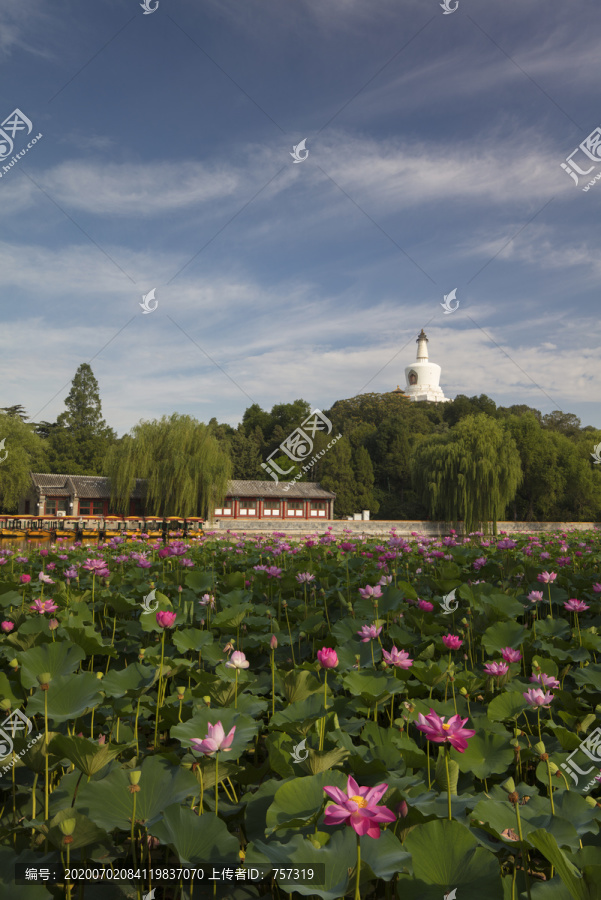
(435,147)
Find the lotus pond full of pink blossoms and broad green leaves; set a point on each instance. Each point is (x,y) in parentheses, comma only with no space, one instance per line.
(404,717)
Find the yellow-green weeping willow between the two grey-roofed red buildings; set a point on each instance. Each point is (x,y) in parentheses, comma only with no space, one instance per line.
(185,468)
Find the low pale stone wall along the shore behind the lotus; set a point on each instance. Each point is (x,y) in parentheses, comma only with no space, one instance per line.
(373,528)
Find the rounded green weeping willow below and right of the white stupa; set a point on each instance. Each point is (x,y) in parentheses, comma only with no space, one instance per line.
(470,474)
